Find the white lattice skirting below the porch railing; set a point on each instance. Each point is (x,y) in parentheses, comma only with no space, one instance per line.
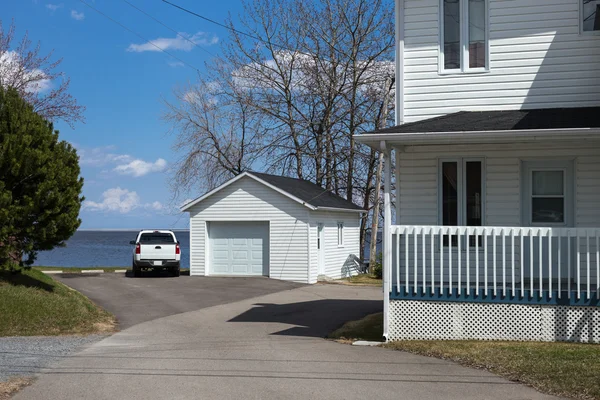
(427,320)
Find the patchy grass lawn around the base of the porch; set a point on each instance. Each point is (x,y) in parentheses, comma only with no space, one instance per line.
(563,369)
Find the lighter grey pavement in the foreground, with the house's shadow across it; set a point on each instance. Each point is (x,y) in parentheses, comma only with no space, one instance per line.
(268,347)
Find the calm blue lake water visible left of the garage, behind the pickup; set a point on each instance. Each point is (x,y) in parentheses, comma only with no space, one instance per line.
(103,249)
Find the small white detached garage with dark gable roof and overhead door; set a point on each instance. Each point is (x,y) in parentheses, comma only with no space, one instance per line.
(258,224)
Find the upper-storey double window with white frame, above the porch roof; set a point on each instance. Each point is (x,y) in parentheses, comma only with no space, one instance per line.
(464,35)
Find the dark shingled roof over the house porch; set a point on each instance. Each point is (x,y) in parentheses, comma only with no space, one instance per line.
(477,121)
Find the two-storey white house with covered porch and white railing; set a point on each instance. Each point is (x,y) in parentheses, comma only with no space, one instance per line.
(496,157)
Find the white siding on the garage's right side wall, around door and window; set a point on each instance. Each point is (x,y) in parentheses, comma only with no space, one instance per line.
(336,257)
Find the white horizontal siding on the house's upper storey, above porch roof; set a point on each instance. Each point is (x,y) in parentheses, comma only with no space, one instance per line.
(538,59)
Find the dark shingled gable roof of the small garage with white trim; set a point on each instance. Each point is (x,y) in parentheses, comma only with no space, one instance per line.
(304,192)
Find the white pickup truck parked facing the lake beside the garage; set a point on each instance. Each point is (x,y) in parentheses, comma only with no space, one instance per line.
(156,250)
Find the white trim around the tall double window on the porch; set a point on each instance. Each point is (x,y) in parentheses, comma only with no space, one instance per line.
(461,163)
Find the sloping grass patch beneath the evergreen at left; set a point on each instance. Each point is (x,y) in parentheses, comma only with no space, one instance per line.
(33,303)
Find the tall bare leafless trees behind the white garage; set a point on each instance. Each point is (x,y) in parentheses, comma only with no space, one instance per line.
(315,73)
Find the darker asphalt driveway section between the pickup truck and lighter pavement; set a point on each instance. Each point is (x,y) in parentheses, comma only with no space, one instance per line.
(137,300)
